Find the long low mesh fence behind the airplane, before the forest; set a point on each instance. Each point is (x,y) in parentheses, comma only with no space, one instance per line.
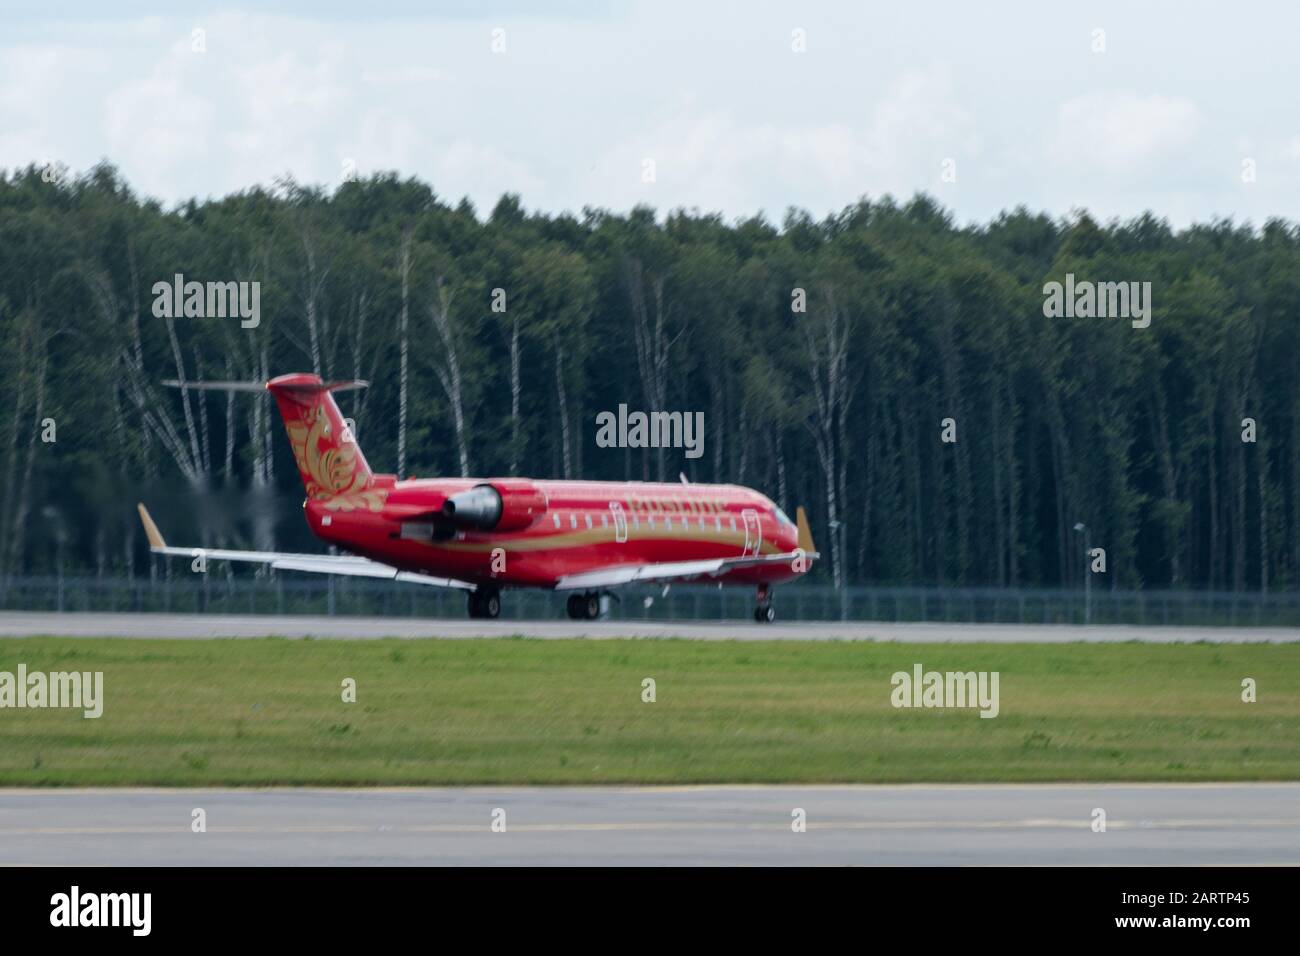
(359,596)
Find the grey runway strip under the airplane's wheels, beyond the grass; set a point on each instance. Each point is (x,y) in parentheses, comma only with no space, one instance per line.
(198,626)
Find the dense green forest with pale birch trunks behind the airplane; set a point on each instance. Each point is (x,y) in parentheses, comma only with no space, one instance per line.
(889,369)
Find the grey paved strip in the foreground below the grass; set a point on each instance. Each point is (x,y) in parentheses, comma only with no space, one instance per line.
(1175,825)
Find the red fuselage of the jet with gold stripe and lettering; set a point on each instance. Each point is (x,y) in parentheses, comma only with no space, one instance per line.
(552,530)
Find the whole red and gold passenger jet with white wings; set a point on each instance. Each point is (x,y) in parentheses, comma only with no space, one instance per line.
(487,535)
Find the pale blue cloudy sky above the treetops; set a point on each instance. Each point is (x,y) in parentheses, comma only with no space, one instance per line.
(1190,111)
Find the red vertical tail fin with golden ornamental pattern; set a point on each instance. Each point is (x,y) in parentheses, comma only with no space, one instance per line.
(326,451)
